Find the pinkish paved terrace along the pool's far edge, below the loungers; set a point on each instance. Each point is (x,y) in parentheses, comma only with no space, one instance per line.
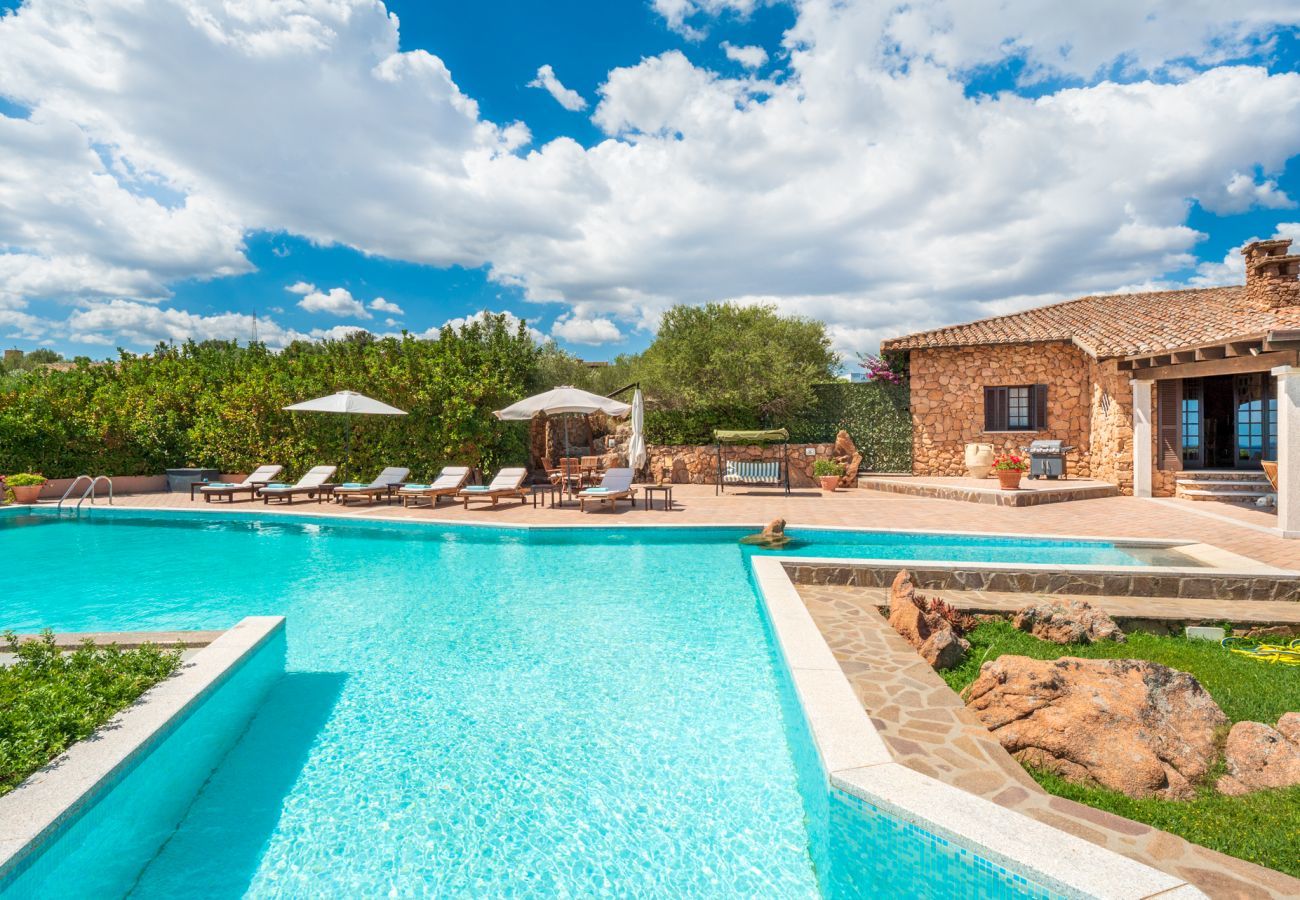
(1238,530)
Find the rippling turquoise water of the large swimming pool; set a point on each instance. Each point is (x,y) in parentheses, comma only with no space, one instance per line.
(474,712)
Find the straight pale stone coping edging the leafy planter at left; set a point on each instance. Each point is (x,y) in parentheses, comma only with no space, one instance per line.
(44,807)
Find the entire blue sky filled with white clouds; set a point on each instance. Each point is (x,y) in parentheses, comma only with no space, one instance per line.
(907,166)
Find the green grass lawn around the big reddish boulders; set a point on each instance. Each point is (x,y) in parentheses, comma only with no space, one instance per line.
(1263,828)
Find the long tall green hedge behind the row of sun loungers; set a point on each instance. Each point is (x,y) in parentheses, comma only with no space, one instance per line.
(219,405)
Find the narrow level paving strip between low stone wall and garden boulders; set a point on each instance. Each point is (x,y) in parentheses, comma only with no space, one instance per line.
(1160,609)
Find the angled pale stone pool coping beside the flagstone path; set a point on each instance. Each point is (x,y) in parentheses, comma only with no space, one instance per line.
(857,761)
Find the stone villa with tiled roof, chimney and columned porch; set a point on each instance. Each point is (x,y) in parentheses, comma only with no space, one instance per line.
(1160,393)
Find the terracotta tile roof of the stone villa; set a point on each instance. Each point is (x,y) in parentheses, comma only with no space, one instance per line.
(1120,324)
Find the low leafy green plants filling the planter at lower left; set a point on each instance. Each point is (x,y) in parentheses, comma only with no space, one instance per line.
(51,700)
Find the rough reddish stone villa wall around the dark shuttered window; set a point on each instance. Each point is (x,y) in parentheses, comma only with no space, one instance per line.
(948,401)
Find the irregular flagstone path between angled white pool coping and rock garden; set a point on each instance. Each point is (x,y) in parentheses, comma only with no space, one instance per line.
(928,729)
